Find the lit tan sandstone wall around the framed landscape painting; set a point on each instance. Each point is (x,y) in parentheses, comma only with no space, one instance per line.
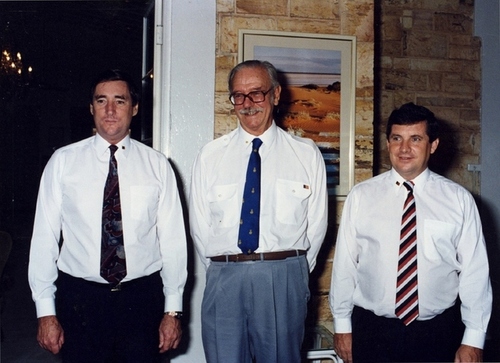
(344,17)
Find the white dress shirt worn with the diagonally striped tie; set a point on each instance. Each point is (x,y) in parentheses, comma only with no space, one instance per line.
(451,252)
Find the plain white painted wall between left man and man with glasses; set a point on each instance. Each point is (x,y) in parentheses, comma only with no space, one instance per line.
(188,82)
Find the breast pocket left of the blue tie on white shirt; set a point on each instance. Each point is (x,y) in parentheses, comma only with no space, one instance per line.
(225,207)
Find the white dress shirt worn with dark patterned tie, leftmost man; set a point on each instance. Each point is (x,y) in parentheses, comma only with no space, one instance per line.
(70,204)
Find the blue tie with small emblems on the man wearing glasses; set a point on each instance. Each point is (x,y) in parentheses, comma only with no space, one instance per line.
(248,237)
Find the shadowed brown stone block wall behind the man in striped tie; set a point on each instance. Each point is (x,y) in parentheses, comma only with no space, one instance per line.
(428,55)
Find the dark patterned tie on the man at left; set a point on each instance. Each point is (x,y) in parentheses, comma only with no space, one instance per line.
(113,266)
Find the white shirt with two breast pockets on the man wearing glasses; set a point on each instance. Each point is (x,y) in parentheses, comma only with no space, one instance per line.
(293,208)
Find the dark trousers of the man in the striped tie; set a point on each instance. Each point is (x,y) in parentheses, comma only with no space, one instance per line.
(379,339)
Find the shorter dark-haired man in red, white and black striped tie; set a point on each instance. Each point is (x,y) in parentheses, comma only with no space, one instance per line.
(410,279)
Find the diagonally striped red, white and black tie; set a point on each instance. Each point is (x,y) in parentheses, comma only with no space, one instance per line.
(406,291)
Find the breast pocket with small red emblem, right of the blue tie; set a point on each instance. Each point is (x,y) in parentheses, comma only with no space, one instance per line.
(291,201)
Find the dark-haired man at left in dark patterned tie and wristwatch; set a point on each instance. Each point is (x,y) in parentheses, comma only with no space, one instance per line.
(108,264)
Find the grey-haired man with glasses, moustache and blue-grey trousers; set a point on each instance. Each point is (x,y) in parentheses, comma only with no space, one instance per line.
(258,216)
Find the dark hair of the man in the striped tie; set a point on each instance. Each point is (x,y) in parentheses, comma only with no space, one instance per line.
(409,114)
